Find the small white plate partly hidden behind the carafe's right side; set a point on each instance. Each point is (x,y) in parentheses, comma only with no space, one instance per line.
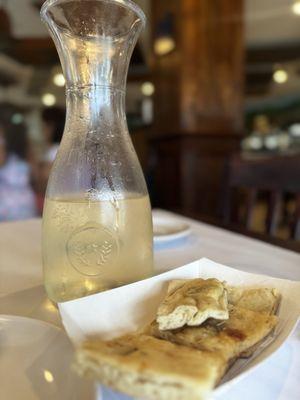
(166,229)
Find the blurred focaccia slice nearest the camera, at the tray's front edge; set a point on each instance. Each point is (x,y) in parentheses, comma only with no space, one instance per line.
(149,368)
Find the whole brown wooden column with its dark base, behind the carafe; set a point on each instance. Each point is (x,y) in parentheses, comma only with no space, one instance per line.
(198,111)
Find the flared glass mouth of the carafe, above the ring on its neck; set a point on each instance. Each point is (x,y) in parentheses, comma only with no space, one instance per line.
(95,39)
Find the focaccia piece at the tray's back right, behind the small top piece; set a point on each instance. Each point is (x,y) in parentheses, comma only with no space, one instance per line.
(259,299)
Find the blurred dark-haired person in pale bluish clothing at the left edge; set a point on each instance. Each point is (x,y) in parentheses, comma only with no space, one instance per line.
(17,199)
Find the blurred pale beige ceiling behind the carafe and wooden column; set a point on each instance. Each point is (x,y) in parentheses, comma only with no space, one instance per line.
(267,21)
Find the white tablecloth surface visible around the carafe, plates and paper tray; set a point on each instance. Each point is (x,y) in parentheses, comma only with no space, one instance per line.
(22,292)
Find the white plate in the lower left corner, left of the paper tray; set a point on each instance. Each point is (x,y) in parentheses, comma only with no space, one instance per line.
(35,360)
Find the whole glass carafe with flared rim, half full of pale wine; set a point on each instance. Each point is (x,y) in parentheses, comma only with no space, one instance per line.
(97,224)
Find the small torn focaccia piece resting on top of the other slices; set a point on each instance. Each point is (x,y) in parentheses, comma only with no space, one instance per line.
(191,302)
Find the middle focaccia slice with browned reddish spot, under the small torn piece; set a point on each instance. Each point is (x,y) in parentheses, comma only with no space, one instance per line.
(235,337)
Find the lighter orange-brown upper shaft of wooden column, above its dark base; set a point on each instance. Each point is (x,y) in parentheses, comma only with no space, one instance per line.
(200,84)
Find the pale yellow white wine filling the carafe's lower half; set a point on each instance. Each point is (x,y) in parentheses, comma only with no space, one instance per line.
(91,246)
